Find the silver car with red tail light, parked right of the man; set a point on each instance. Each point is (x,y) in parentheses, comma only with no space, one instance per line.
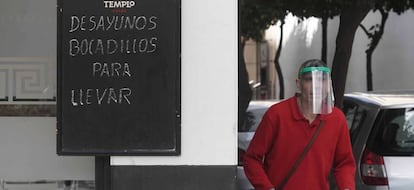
(382,135)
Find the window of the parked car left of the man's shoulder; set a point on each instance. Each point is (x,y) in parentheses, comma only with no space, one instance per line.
(253,118)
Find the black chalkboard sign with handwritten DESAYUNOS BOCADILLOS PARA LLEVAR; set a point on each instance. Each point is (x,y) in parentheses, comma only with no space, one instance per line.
(119,77)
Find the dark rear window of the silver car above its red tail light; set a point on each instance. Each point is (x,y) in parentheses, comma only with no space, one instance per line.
(396,132)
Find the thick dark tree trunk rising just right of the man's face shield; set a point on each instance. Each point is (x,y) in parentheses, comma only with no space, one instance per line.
(349,21)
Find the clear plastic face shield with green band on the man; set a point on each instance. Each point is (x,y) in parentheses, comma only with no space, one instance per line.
(317,89)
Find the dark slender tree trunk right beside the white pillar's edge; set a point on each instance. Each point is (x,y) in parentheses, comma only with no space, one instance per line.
(244,90)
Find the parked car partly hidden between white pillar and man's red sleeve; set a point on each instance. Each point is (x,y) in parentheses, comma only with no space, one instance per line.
(254,113)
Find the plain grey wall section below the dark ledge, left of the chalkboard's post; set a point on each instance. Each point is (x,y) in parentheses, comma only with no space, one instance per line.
(28,152)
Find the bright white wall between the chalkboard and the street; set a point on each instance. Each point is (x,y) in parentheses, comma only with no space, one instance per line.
(209,87)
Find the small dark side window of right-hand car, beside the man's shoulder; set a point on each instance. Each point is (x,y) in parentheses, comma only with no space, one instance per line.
(355,115)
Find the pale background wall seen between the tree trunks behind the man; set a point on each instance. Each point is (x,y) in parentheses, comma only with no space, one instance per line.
(392,60)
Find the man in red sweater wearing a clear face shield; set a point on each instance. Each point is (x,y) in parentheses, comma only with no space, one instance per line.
(287,127)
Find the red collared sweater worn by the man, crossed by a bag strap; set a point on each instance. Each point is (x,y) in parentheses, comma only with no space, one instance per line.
(281,137)
